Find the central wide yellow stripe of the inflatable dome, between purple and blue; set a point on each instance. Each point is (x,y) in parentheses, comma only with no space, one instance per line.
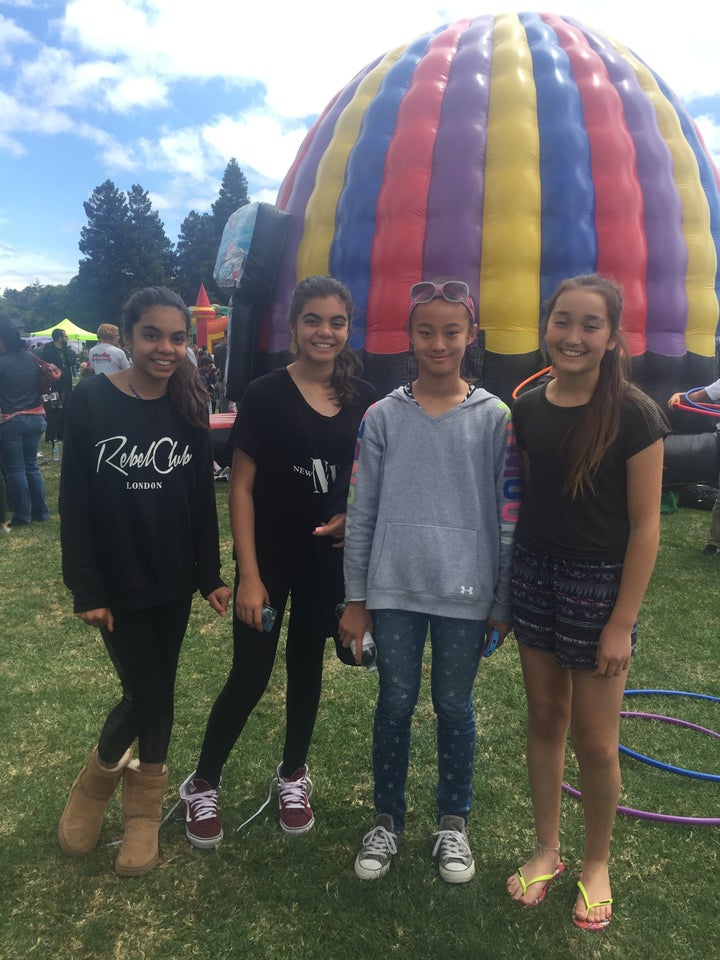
(511,239)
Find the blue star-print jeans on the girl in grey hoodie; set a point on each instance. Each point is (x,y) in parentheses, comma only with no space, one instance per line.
(456,644)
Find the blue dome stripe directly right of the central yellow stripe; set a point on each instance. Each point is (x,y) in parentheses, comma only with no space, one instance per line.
(569,240)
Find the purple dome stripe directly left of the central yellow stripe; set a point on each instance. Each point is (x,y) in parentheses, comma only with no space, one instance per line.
(458,179)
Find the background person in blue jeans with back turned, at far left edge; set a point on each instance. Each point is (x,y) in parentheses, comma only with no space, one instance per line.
(23,421)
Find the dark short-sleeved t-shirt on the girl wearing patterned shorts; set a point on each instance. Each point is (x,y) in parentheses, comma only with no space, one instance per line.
(595,524)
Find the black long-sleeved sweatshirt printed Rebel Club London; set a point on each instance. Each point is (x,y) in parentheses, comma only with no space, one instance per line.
(138,521)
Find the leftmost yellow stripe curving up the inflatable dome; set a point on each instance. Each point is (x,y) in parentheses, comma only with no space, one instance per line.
(313,255)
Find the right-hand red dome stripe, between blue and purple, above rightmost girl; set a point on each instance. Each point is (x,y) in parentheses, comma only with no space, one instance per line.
(619,208)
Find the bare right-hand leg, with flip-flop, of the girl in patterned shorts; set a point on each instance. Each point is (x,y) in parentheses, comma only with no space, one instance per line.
(596,709)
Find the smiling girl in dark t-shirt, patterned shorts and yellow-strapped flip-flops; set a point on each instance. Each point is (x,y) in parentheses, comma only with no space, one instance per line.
(591,448)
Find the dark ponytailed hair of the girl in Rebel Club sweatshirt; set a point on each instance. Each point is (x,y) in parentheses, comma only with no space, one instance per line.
(185,388)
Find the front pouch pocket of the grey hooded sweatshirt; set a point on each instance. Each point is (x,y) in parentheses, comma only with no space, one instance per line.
(429,560)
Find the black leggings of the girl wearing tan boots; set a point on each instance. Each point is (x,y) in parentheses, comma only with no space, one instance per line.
(144,648)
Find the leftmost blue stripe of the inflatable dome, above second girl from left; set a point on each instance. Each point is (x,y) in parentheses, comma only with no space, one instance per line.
(355,221)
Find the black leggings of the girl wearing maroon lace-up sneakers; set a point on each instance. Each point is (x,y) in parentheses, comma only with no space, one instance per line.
(253,659)
